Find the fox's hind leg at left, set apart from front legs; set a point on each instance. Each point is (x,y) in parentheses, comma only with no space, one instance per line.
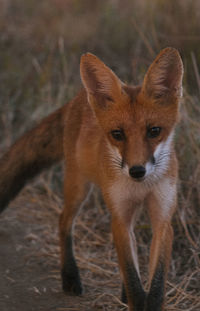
(75,190)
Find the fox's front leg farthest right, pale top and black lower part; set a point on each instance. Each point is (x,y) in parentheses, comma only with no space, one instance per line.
(161,246)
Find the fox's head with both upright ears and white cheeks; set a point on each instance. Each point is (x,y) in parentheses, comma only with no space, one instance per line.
(138,122)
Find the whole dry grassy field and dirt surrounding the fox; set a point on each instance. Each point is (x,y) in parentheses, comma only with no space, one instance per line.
(40,47)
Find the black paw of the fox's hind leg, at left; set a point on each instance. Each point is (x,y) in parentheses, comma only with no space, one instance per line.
(71,283)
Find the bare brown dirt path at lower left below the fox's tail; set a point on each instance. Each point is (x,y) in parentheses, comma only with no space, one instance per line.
(26,283)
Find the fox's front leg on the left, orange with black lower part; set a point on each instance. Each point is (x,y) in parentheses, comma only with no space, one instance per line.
(125,244)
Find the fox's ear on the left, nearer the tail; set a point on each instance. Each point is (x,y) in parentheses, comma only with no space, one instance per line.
(99,81)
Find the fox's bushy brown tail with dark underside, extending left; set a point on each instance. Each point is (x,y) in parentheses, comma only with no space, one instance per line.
(34,151)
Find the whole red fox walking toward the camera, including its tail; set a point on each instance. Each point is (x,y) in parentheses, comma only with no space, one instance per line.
(119,137)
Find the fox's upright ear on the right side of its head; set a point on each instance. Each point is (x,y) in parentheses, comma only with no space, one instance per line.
(164,76)
